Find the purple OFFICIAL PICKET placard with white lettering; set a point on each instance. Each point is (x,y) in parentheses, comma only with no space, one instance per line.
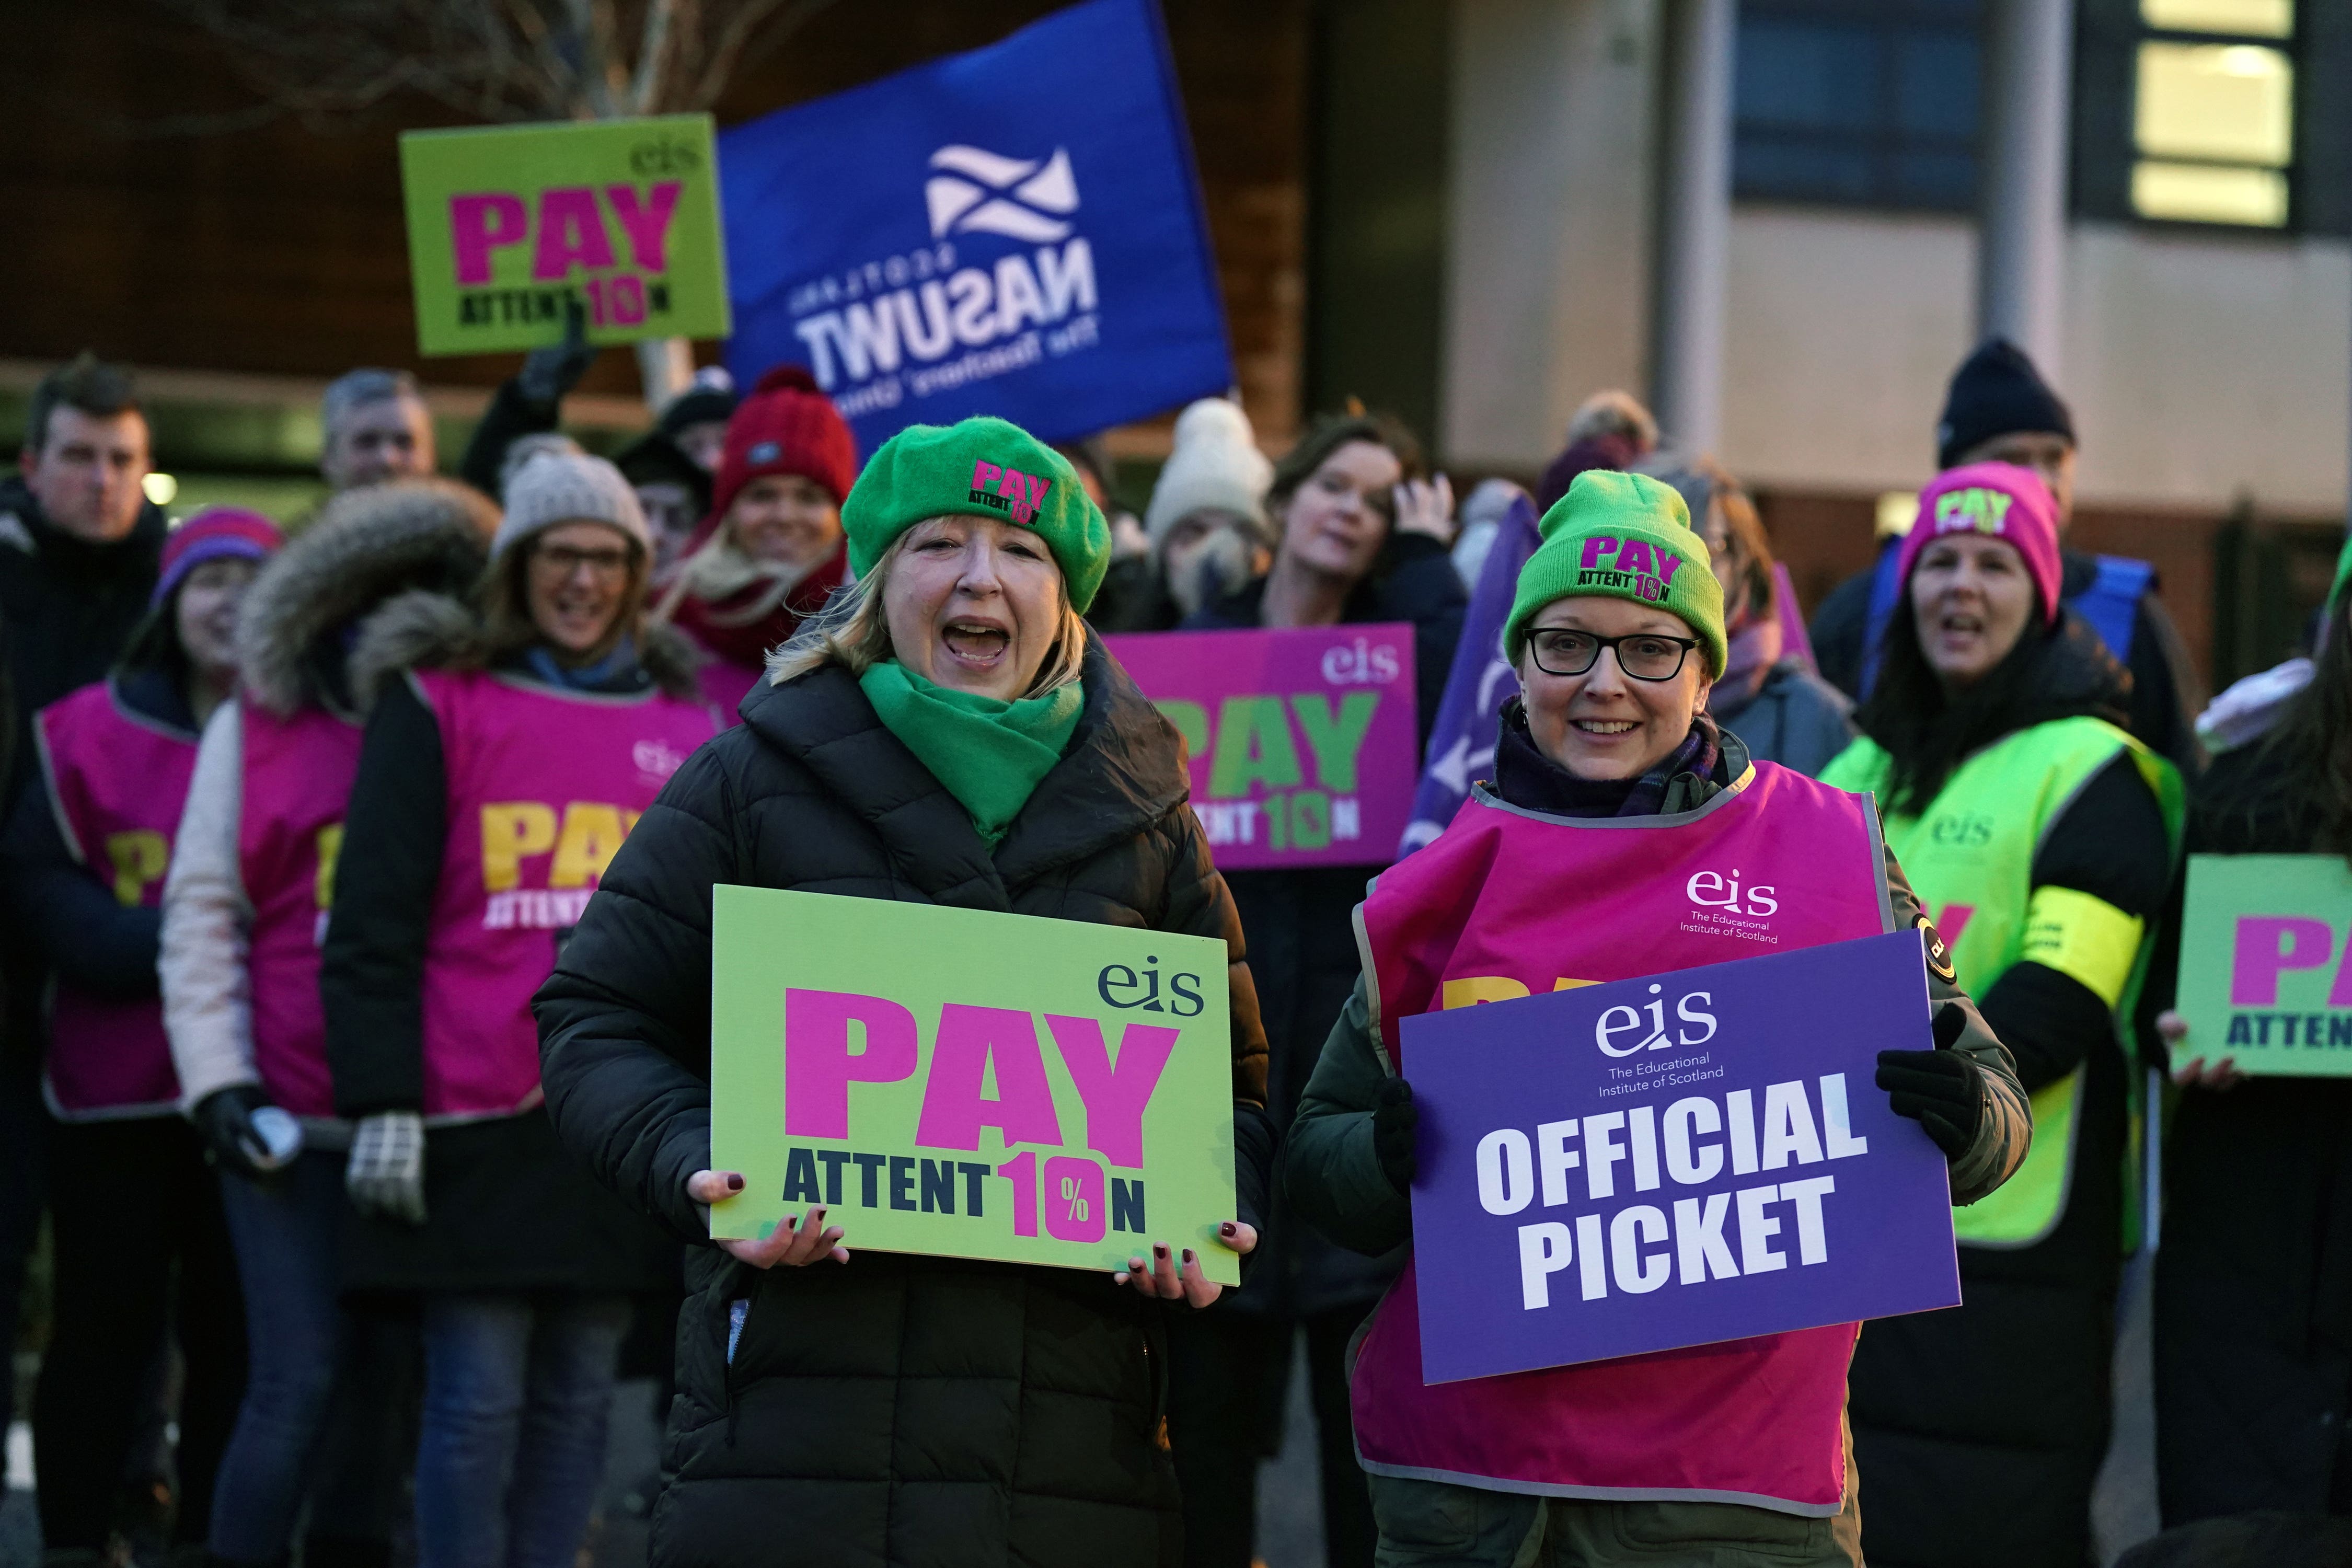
(1751,1181)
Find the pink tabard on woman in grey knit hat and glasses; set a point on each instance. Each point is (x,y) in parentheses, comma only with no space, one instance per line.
(542,791)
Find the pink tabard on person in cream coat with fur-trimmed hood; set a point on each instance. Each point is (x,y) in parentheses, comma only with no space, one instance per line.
(290,826)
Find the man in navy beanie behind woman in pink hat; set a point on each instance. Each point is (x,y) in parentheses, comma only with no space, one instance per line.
(2000,410)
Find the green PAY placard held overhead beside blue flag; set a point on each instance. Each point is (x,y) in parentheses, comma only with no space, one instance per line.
(509,222)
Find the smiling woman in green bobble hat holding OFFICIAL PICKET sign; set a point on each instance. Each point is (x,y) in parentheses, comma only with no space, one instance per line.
(1610,770)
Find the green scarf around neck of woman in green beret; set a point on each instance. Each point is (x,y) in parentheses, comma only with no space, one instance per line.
(989,753)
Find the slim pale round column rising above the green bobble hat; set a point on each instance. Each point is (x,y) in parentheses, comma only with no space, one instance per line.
(1695,222)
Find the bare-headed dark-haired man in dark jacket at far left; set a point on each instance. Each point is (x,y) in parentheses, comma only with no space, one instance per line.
(79,549)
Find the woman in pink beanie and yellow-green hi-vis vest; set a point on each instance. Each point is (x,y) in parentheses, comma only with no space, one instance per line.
(2043,838)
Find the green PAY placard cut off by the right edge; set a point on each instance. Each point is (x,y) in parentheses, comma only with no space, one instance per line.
(2266,965)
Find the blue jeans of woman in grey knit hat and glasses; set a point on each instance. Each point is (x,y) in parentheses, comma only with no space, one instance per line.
(519,1393)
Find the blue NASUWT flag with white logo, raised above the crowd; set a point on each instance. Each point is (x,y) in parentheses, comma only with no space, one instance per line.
(1013,232)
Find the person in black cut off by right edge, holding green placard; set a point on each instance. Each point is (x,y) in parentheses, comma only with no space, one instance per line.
(2252,1329)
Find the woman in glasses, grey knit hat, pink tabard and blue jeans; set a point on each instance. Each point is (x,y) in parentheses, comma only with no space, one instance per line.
(509,751)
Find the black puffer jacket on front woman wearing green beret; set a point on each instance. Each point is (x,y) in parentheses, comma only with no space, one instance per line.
(897,1409)
